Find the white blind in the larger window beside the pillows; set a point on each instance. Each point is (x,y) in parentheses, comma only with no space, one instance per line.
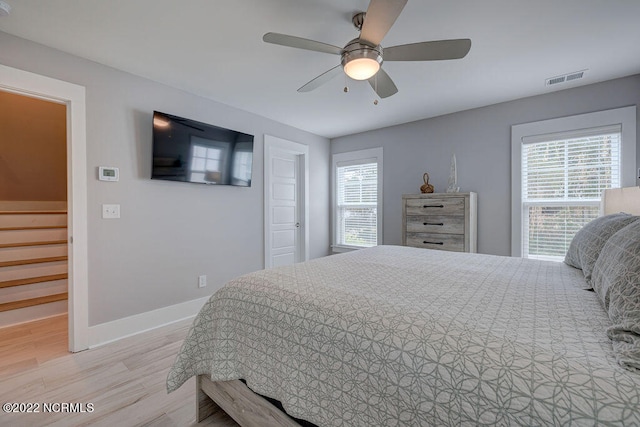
(563,176)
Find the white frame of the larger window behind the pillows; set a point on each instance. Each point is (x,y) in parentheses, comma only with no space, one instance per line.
(625,117)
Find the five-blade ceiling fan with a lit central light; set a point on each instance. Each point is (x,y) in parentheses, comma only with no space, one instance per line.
(362,57)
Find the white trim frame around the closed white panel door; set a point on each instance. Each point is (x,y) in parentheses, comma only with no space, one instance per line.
(272,143)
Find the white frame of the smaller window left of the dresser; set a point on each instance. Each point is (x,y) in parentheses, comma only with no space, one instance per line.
(370,155)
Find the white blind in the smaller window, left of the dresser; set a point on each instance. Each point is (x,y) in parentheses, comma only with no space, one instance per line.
(357,203)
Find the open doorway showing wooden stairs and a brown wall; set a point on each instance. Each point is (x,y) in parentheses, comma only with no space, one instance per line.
(33,209)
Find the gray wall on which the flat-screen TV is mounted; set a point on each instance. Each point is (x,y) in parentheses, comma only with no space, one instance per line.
(170,232)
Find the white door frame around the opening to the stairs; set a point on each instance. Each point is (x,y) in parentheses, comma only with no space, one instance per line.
(73,96)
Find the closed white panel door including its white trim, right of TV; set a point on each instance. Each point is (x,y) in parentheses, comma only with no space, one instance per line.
(285,202)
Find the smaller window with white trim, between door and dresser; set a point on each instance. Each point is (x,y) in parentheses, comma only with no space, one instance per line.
(357,199)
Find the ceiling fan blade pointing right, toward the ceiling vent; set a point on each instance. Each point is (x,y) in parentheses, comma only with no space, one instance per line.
(428,51)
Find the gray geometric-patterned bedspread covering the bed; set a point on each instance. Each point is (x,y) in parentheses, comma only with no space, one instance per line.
(402,336)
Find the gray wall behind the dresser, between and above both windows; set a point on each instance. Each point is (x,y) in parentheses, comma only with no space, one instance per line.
(481,140)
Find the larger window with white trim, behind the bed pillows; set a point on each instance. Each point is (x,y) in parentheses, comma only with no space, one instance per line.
(559,175)
